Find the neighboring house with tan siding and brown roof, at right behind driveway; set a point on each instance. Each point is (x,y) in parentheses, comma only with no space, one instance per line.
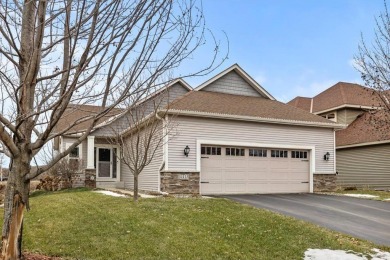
(363,147)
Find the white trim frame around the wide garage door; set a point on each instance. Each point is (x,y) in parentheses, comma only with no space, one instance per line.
(199,143)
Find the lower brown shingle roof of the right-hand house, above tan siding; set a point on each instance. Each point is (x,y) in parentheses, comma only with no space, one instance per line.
(369,128)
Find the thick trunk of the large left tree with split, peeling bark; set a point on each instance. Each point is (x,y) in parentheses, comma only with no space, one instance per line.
(16,200)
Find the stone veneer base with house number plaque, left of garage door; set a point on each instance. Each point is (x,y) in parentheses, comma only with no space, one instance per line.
(180,182)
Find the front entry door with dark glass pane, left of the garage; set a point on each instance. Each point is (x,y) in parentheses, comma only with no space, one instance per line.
(106,167)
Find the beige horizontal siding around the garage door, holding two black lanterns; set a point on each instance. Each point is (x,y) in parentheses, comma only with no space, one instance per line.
(190,129)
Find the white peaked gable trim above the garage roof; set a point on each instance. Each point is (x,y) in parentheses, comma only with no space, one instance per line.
(244,76)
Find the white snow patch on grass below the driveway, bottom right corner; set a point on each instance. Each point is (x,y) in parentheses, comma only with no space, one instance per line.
(328,254)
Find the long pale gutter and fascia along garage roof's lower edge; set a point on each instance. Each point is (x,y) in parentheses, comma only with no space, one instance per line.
(256,119)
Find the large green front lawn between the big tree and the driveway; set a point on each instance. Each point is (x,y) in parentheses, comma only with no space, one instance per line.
(86,225)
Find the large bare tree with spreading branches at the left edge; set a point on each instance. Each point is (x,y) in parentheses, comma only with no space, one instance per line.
(56,53)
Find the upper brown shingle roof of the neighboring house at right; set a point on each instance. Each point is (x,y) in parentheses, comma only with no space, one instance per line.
(344,93)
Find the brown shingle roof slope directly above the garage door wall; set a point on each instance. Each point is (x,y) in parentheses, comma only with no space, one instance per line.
(227,104)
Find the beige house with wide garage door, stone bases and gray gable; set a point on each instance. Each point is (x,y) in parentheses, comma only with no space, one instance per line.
(241,140)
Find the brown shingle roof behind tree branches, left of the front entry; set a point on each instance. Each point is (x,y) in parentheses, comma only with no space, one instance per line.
(75,112)
